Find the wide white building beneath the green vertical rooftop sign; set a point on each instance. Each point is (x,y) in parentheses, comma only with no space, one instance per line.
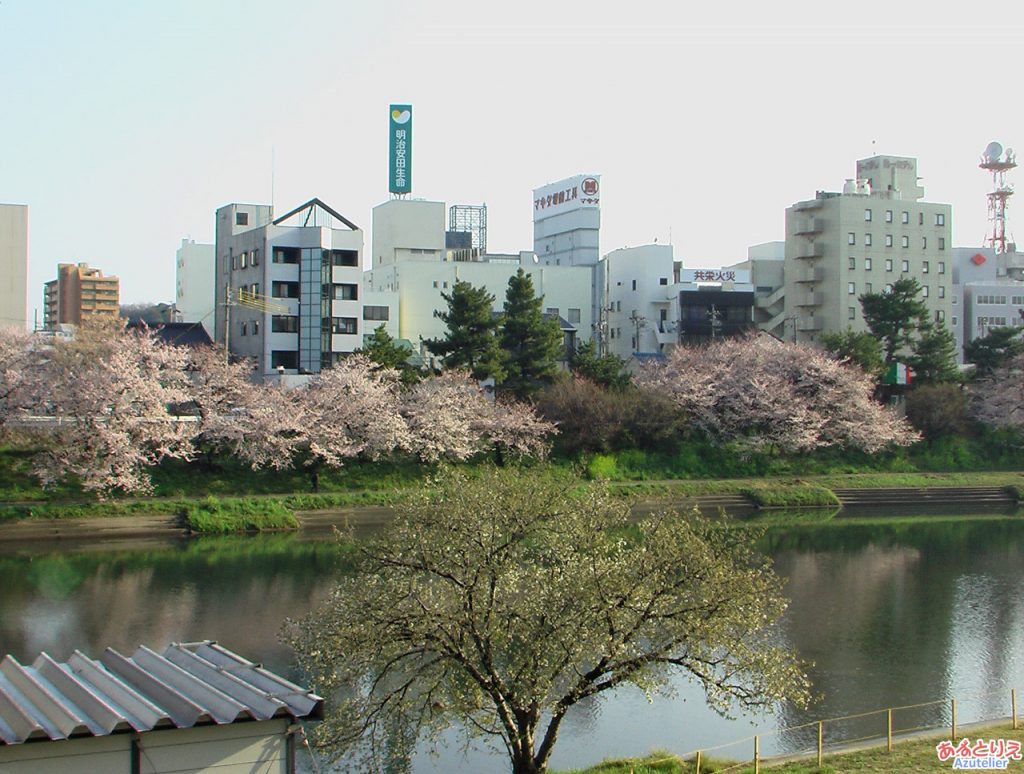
(413,268)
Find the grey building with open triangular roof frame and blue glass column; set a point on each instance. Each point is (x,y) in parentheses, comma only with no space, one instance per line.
(288,290)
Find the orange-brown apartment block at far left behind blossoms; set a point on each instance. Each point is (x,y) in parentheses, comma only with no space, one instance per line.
(78,294)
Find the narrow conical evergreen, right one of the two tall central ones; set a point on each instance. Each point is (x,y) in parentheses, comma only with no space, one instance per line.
(530,343)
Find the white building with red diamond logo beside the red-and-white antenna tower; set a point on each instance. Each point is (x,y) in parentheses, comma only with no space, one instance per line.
(990,292)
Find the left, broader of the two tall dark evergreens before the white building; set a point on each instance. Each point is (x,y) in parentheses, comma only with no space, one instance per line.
(471,341)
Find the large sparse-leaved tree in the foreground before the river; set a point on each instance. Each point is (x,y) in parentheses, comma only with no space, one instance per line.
(498,603)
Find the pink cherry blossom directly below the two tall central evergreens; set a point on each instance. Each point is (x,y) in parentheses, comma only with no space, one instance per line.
(450,417)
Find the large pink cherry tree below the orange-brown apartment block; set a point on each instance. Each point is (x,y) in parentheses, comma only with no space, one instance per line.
(109,398)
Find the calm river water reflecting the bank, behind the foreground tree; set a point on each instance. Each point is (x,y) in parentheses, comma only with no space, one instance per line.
(892,615)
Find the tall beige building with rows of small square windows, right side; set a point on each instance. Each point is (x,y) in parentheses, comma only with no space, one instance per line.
(842,245)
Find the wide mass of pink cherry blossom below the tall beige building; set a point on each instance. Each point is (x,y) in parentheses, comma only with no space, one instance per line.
(763,395)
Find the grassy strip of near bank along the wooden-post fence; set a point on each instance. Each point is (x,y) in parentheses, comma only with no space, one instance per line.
(912,756)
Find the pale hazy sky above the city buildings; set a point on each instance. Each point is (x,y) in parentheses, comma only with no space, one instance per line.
(126,123)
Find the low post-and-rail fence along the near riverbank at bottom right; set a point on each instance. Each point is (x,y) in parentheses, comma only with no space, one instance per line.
(877,728)
